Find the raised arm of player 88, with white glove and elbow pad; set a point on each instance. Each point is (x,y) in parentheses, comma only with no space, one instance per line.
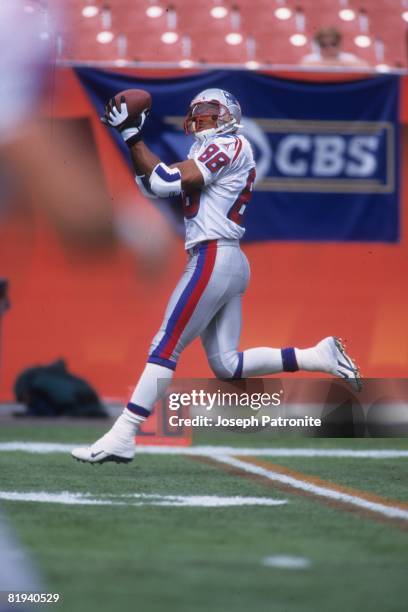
(153,176)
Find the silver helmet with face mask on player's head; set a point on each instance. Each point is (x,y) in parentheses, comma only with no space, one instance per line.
(210,113)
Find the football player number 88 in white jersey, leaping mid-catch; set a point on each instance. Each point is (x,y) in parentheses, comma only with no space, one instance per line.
(215,184)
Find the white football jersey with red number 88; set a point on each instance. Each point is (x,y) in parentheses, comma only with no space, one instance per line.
(216,210)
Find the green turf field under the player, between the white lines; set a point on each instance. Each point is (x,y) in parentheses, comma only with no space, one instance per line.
(103,558)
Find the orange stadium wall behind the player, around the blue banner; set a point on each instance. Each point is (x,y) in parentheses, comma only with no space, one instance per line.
(100,308)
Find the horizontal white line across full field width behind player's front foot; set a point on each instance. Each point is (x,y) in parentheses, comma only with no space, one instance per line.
(215,451)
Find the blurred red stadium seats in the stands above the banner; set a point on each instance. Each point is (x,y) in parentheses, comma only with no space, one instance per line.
(207,34)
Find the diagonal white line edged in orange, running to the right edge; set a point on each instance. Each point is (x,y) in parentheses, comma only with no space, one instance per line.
(319,491)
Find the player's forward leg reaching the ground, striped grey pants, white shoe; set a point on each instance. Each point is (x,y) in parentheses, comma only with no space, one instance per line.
(192,305)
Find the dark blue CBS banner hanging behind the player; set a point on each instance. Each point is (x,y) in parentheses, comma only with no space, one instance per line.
(327,154)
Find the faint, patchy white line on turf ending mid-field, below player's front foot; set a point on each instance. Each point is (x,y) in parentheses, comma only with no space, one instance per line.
(138,499)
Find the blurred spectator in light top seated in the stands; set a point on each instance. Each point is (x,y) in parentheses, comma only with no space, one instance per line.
(329,53)
